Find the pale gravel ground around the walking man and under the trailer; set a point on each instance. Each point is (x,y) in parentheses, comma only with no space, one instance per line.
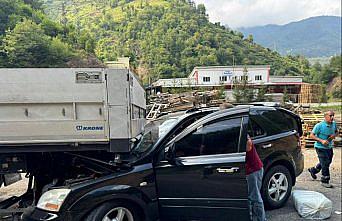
(288,212)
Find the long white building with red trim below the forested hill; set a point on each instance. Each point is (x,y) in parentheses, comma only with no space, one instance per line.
(213,77)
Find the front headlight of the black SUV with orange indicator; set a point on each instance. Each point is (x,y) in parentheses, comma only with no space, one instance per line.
(52,200)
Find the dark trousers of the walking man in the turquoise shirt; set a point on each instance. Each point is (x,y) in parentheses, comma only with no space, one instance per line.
(325,158)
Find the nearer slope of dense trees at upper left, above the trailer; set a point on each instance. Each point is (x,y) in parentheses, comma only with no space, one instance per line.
(28,38)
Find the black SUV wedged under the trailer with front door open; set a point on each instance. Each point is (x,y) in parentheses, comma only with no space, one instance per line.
(187,167)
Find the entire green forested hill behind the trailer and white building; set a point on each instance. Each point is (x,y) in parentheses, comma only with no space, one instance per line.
(163,38)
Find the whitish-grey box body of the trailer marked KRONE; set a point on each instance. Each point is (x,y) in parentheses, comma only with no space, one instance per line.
(67,107)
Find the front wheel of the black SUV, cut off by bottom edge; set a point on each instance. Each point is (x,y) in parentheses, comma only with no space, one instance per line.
(118,211)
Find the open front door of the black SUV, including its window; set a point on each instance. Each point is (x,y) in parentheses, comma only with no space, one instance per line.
(206,178)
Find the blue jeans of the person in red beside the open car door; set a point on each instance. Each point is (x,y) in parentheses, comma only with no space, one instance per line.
(256,205)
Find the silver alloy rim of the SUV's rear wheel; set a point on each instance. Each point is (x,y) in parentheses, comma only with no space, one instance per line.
(278,187)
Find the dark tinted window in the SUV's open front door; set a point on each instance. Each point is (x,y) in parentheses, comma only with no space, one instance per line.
(218,137)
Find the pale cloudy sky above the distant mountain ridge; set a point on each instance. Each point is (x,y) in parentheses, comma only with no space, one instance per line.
(247,13)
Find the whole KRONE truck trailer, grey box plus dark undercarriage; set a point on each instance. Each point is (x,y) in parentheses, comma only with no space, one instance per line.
(58,123)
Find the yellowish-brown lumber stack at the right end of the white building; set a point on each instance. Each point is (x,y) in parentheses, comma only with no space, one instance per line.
(310,93)
